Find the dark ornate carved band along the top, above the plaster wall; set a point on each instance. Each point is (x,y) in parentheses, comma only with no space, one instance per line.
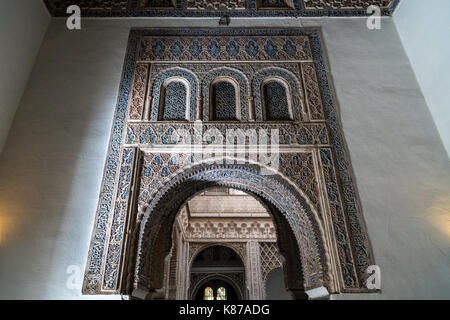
(242,8)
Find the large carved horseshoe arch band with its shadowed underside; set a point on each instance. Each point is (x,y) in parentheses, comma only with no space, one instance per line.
(303,249)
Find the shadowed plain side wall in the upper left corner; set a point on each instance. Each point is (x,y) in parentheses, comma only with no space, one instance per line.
(22,27)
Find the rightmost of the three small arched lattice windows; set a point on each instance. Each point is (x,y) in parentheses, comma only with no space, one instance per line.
(276,101)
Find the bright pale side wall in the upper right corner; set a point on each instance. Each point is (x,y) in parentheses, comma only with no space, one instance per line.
(424,28)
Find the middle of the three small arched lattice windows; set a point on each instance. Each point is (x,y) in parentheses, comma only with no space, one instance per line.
(224,101)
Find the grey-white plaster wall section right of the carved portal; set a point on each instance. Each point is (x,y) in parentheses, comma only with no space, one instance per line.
(401,167)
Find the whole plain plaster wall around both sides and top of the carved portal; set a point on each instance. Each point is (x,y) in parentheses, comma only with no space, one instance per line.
(52,166)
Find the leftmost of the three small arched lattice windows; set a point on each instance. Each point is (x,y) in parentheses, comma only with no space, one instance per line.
(174,106)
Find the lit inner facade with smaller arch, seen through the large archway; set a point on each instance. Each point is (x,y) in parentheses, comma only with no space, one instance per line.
(224,246)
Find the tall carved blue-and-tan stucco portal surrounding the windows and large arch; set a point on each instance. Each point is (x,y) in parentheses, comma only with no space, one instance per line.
(313,188)
